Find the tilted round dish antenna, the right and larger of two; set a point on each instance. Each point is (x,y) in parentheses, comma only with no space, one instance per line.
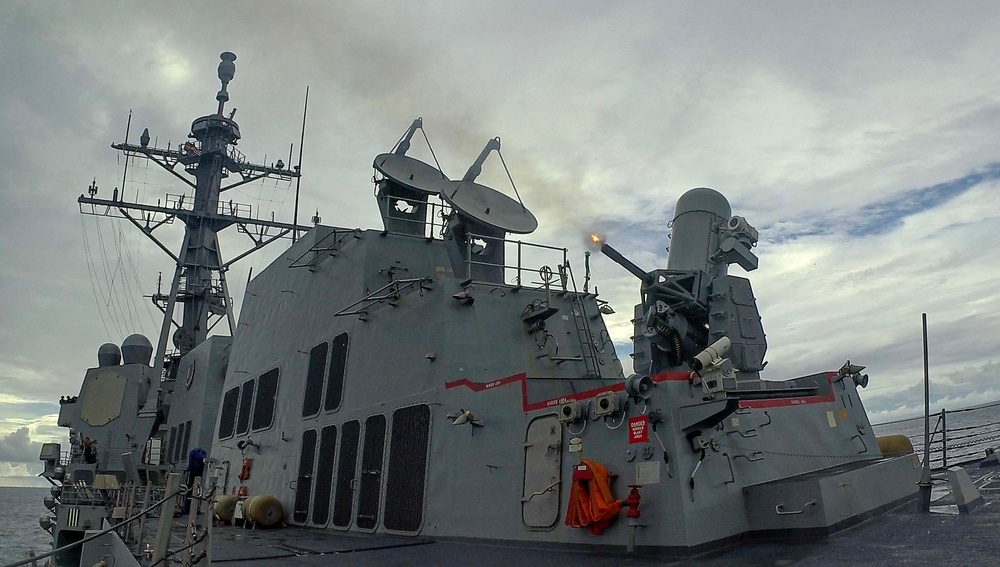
(489,206)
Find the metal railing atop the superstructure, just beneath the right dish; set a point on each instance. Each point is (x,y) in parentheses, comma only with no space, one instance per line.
(523,254)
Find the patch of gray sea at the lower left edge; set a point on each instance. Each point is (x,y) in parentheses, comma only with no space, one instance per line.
(19,531)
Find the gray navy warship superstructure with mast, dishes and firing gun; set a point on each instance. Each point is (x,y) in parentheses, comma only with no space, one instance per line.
(439,379)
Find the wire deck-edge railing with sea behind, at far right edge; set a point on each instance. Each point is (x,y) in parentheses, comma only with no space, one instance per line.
(957,436)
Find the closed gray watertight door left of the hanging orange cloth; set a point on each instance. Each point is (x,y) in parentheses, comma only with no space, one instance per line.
(542,472)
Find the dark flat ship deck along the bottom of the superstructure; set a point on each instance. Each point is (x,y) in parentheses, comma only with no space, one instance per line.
(903,536)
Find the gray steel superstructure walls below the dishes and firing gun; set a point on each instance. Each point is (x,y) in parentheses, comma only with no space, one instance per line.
(426,347)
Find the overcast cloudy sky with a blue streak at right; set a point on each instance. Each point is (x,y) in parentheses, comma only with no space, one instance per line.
(860,138)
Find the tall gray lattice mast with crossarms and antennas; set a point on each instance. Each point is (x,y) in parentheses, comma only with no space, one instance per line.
(199,281)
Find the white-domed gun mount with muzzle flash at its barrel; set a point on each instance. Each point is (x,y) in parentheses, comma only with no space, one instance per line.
(695,302)
